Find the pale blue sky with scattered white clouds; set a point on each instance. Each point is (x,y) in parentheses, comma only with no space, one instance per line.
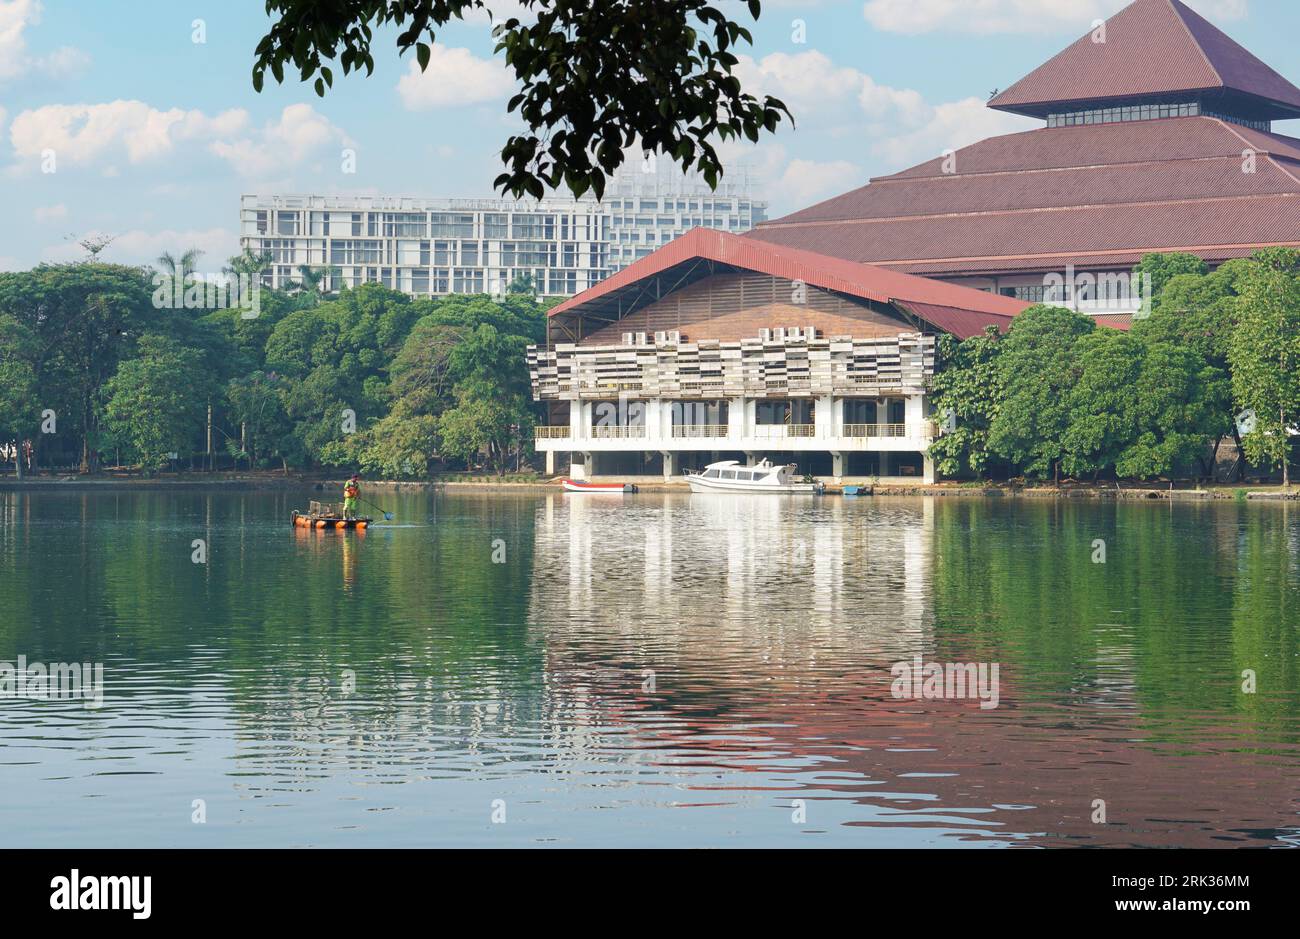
(157,132)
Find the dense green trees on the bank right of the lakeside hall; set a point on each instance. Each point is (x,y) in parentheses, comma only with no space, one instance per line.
(1060,396)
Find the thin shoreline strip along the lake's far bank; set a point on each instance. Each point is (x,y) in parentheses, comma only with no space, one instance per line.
(1097,492)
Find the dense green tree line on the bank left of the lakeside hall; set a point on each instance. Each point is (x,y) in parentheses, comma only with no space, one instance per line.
(98,365)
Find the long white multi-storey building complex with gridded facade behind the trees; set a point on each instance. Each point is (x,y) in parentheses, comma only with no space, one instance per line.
(471,246)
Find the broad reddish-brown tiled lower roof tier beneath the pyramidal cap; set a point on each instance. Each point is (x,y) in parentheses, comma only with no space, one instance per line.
(1091,196)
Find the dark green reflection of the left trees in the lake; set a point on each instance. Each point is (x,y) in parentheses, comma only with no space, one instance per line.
(431,626)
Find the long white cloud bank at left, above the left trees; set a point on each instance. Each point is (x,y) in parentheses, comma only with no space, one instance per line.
(103,135)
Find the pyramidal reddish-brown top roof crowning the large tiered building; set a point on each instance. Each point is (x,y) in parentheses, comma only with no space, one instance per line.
(1152,50)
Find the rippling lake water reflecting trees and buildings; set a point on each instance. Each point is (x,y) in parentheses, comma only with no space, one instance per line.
(655,670)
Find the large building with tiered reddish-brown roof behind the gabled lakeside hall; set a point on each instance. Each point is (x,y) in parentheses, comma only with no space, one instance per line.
(1158,139)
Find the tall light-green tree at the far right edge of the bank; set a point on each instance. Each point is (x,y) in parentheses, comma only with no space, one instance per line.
(1266,356)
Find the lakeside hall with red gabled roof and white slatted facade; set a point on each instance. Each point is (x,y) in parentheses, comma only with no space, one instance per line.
(723,345)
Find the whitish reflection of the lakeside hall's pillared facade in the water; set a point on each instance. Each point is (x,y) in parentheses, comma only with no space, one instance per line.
(759,570)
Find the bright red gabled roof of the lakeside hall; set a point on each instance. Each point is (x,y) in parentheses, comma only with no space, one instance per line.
(959,310)
